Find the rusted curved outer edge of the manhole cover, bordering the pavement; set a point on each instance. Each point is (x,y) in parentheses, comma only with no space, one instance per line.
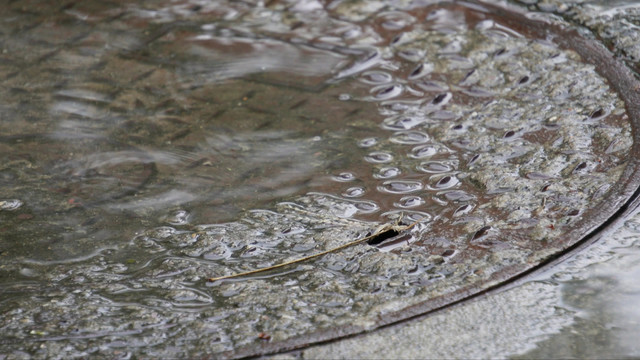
(623,198)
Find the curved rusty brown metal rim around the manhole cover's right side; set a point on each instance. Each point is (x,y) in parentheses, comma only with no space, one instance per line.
(623,81)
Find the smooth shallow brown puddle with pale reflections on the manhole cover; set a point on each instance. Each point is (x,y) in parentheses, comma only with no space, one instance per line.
(96,138)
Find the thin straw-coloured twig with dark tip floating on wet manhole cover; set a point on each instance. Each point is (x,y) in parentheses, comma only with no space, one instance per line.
(382,231)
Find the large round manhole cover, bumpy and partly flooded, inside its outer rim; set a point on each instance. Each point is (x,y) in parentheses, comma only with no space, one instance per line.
(488,127)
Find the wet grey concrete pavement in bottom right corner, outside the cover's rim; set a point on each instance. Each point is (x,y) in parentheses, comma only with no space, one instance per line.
(584,307)
